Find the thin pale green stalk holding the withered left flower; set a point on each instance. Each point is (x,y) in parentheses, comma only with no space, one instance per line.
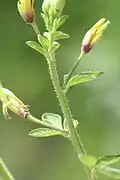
(37,121)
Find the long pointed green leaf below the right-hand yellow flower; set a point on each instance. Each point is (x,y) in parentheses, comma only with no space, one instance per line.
(83,77)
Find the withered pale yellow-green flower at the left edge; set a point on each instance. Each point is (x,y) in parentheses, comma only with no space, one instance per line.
(11,102)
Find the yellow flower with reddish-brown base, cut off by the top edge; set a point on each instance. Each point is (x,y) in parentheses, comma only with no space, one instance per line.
(26,10)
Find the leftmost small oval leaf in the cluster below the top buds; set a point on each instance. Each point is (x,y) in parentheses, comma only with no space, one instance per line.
(36,46)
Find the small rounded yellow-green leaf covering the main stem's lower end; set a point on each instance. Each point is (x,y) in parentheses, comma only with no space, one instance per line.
(88,160)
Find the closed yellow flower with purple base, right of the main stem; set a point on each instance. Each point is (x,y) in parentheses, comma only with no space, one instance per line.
(94,34)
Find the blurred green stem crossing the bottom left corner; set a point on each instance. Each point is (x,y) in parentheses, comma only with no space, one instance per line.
(4,172)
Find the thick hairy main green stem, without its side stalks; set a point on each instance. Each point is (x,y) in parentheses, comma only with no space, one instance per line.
(64,104)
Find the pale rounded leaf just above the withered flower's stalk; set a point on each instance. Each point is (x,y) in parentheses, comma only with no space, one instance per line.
(53,119)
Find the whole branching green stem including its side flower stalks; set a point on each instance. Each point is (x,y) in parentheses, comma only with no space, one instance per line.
(73,135)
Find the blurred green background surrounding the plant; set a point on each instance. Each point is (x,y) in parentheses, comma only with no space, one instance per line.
(95,104)
